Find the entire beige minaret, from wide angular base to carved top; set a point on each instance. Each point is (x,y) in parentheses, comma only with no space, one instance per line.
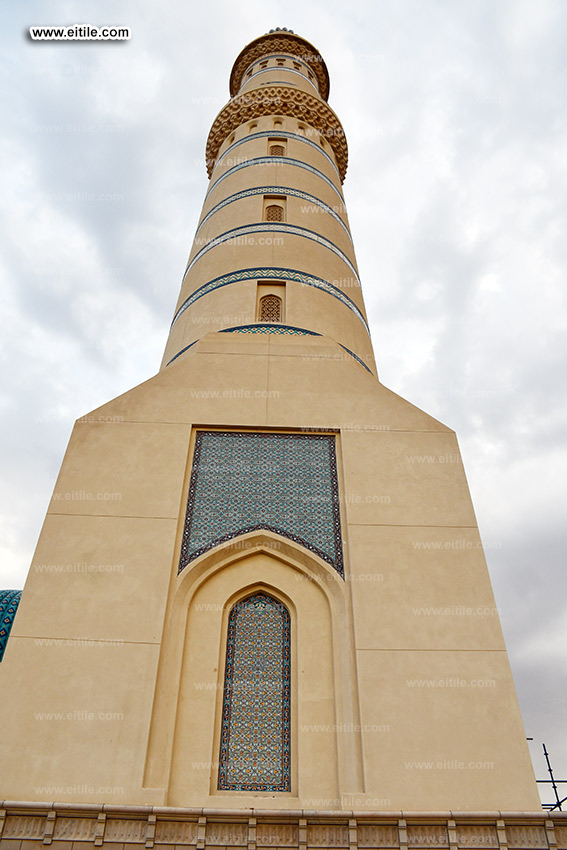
(260,584)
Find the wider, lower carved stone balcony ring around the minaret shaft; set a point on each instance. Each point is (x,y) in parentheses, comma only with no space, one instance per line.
(278,100)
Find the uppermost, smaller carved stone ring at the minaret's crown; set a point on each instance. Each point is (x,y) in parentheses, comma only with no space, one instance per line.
(280,43)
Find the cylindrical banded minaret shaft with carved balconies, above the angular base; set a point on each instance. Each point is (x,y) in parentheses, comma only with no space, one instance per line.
(273,248)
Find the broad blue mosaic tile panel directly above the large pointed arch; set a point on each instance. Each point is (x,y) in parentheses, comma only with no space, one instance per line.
(285,483)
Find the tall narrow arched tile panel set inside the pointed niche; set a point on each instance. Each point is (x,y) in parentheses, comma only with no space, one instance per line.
(255,734)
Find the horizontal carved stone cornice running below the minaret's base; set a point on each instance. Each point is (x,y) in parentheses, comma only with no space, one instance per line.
(28,826)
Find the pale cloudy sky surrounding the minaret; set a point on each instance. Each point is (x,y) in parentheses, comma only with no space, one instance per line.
(455,114)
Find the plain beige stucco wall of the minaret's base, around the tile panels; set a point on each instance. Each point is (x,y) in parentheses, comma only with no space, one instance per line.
(357,643)
